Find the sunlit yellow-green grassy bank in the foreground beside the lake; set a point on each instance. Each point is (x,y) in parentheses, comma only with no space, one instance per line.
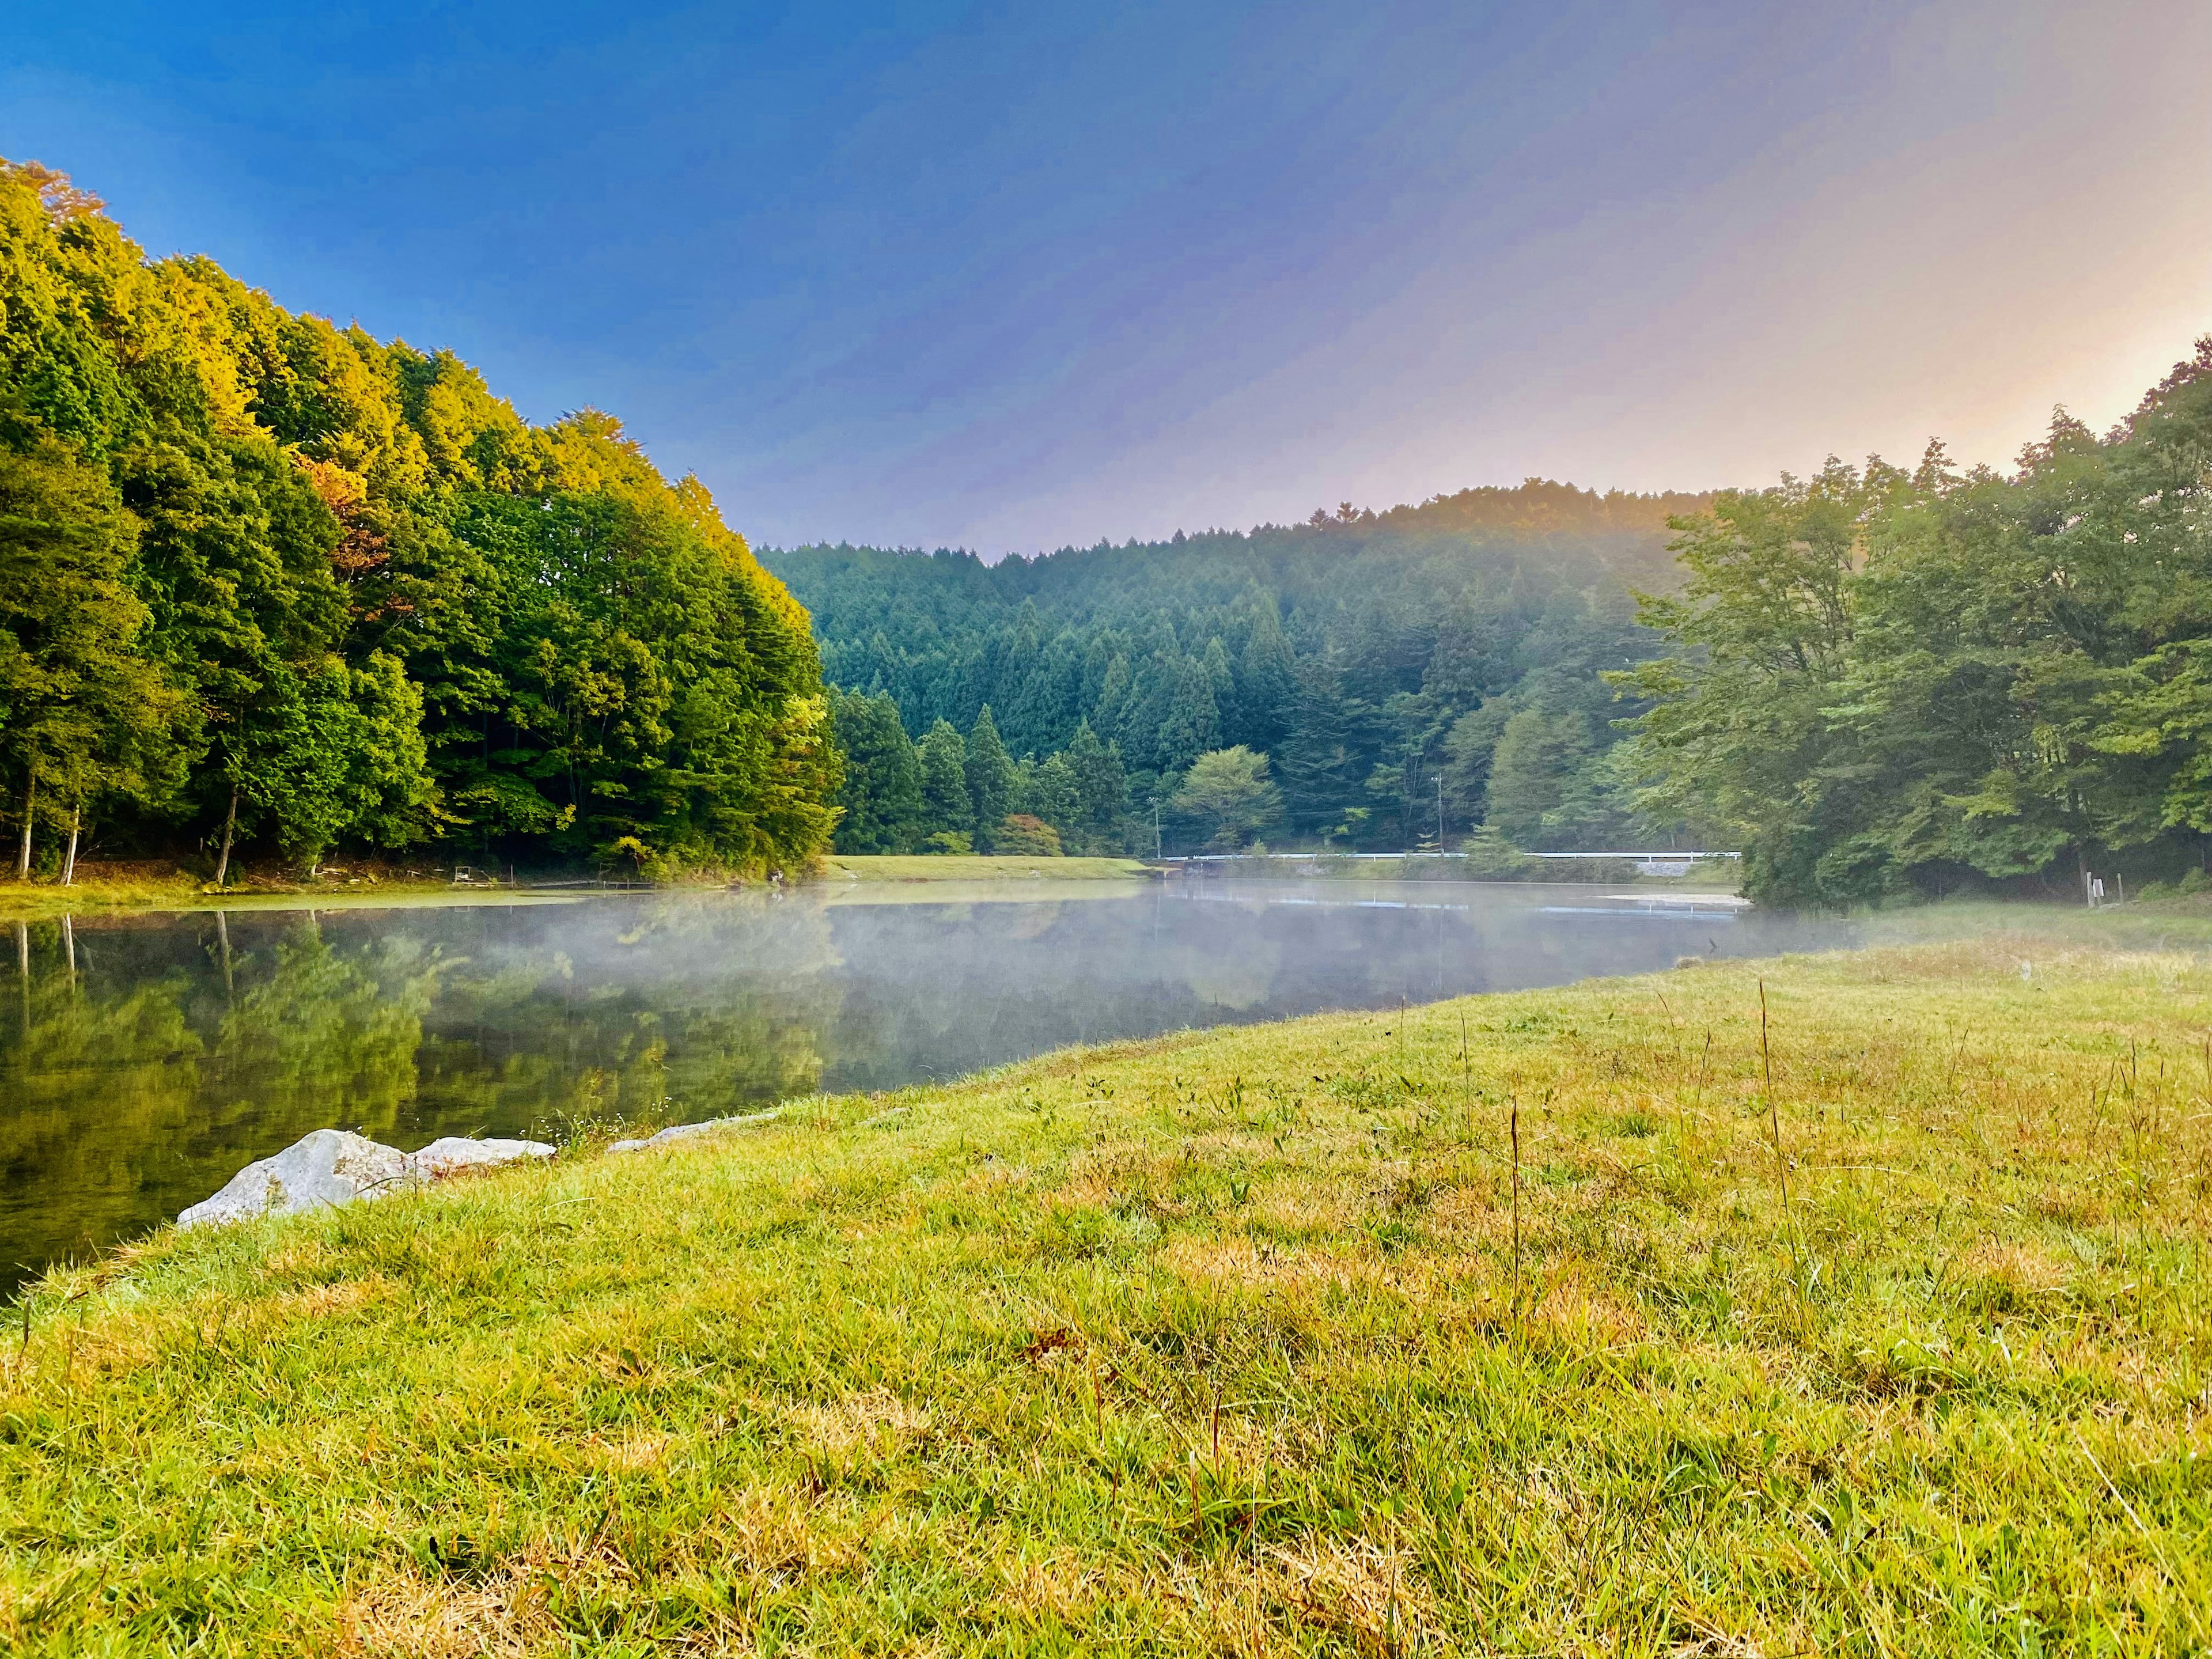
(1598,1322)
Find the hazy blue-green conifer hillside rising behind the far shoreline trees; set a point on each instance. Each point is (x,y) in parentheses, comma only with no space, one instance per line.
(1344,649)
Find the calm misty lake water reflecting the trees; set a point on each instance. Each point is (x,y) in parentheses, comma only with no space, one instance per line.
(147,1058)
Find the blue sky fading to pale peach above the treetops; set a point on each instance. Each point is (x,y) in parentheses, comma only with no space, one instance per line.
(1032,275)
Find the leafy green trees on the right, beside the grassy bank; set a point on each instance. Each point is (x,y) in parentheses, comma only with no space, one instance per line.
(1897,682)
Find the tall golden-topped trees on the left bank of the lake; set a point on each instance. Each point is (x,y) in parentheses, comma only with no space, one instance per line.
(275,585)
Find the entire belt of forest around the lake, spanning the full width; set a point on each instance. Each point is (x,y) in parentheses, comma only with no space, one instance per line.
(273,587)
